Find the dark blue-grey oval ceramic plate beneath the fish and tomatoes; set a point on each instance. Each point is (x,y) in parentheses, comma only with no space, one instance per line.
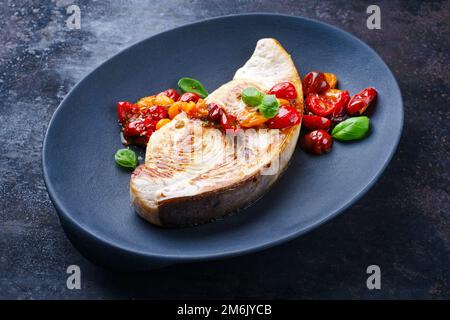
(91,194)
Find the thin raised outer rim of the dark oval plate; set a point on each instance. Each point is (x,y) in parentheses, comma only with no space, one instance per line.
(61,210)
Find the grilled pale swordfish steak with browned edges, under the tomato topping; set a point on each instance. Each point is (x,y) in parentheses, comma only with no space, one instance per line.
(195,174)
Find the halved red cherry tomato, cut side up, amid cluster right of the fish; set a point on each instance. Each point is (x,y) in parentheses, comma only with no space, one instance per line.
(332,102)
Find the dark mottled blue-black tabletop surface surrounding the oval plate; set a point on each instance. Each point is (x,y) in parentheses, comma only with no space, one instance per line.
(402,224)
